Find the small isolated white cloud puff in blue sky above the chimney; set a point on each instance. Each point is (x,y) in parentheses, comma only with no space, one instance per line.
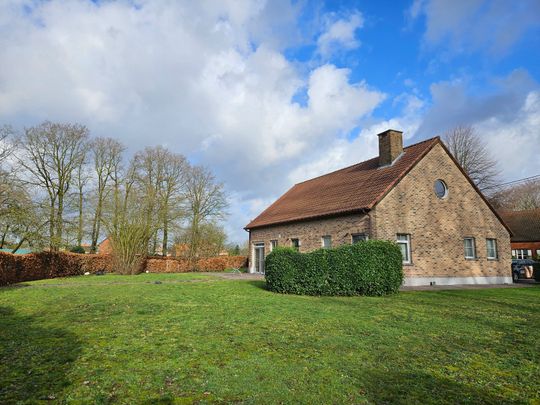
(340,34)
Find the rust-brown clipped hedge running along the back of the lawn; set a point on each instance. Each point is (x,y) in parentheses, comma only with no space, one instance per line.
(37,266)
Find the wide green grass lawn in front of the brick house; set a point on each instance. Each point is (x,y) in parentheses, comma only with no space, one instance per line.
(200,339)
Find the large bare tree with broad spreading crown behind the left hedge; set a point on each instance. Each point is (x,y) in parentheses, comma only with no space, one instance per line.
(51,153)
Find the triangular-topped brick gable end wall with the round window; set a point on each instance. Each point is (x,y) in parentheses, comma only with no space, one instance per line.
(438,226)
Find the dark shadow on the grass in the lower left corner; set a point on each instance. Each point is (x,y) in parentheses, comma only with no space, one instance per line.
(34,360)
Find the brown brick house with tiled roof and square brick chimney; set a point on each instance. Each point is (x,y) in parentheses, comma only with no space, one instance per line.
(418,196)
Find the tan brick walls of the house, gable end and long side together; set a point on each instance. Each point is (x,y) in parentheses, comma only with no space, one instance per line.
(436,227)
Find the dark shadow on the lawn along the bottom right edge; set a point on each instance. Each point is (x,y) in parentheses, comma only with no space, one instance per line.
(395,387)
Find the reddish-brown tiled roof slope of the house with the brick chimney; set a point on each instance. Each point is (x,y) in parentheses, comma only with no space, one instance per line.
(352,189)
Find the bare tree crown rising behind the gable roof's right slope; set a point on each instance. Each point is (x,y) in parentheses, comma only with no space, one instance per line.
(473,156)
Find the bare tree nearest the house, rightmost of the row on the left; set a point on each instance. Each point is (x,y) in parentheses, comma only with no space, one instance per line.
(206,202)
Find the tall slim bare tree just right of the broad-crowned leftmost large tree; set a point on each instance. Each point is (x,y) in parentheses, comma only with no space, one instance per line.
(107,156)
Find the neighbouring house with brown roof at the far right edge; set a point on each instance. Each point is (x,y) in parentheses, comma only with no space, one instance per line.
(525,227)
